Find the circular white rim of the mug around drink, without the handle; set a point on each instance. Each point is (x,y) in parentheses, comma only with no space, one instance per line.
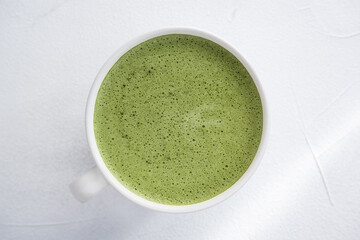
(90,107)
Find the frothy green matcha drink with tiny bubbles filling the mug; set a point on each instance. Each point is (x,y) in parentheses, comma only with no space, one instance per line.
(178,119)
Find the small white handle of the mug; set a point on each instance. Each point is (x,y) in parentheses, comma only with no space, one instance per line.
(88,184)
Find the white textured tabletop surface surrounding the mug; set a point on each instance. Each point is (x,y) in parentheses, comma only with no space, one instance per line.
(306,54)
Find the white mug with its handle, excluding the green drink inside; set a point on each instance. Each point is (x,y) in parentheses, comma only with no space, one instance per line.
(97,178)
